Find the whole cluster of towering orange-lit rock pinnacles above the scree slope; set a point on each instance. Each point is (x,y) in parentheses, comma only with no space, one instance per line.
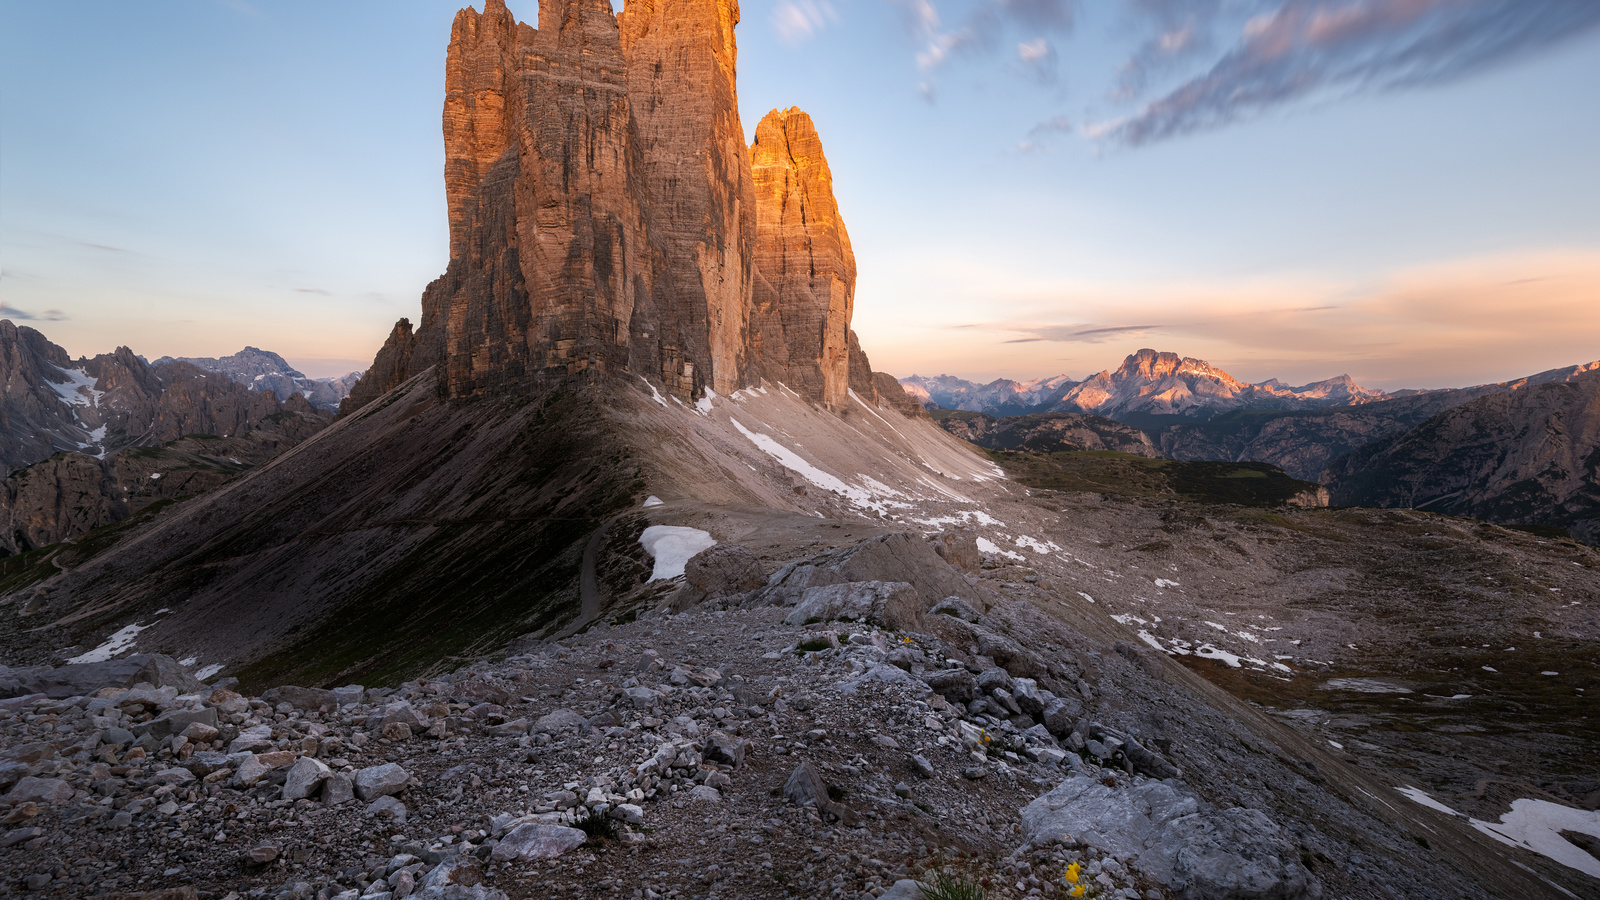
(676,254)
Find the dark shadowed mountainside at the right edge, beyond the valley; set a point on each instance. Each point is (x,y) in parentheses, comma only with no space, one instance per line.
(1526,457)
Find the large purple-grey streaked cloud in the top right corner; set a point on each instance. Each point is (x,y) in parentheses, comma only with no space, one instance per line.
(1329,49)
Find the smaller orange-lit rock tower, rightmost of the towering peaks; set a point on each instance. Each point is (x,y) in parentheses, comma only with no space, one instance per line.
(806,292)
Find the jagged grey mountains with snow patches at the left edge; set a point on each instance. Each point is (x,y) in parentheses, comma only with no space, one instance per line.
(95,441)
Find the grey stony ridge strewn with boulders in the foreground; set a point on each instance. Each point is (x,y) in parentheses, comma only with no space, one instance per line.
(727,753)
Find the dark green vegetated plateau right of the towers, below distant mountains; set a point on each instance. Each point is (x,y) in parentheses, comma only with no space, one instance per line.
(1124,475)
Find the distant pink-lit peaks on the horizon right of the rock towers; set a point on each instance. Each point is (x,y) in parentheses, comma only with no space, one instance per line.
(1148,384)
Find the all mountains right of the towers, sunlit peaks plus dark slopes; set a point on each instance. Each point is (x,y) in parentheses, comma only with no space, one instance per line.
(1522,452)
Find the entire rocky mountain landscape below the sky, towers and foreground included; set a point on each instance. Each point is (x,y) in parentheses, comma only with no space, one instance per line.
(623,574)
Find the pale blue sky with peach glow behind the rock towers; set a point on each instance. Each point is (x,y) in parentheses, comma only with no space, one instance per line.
(198,175)
